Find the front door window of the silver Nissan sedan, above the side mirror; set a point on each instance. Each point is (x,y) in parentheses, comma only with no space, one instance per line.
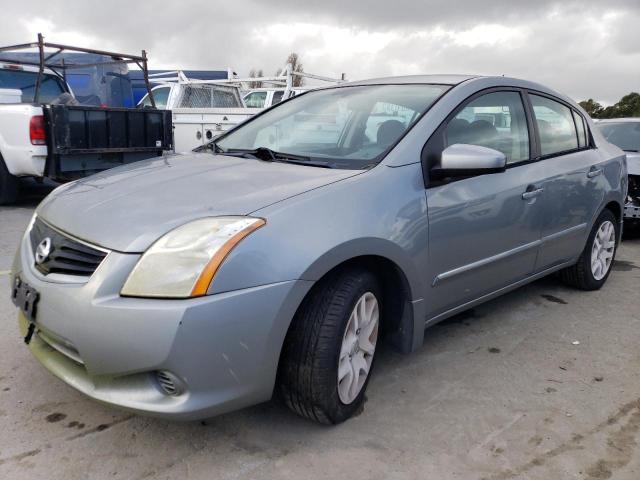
(495,120)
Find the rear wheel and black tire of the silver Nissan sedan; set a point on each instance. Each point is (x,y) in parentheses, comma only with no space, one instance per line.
(582,275)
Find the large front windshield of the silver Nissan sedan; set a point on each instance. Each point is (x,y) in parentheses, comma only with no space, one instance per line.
(347,127)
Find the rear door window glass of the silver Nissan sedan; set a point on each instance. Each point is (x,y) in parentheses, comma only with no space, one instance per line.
(556,126)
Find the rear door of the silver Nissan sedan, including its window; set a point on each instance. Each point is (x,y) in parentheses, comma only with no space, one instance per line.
(574,185)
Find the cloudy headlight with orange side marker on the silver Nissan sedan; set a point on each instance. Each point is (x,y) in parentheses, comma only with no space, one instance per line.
(183,262)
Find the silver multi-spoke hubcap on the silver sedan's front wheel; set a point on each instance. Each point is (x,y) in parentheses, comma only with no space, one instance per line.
(358,347)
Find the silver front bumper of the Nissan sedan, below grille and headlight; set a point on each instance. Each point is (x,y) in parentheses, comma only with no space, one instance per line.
(224,347)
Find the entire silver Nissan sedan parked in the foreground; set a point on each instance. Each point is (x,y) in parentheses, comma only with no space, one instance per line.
(280,255)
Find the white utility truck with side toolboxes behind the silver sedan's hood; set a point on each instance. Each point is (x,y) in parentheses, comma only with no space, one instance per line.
(200,109)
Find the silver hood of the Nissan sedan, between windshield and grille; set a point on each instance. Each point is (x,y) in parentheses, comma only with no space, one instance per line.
(128,208)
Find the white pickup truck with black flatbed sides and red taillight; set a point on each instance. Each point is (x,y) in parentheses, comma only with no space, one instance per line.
(47,134)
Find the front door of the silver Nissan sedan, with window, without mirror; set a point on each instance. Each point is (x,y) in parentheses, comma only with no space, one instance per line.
(484,231)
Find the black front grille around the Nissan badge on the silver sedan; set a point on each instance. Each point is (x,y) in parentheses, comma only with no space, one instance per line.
(65,255)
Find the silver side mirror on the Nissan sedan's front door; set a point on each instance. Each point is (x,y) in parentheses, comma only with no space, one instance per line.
(467,160)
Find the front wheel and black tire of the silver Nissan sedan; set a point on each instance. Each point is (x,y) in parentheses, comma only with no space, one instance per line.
(316,345)
